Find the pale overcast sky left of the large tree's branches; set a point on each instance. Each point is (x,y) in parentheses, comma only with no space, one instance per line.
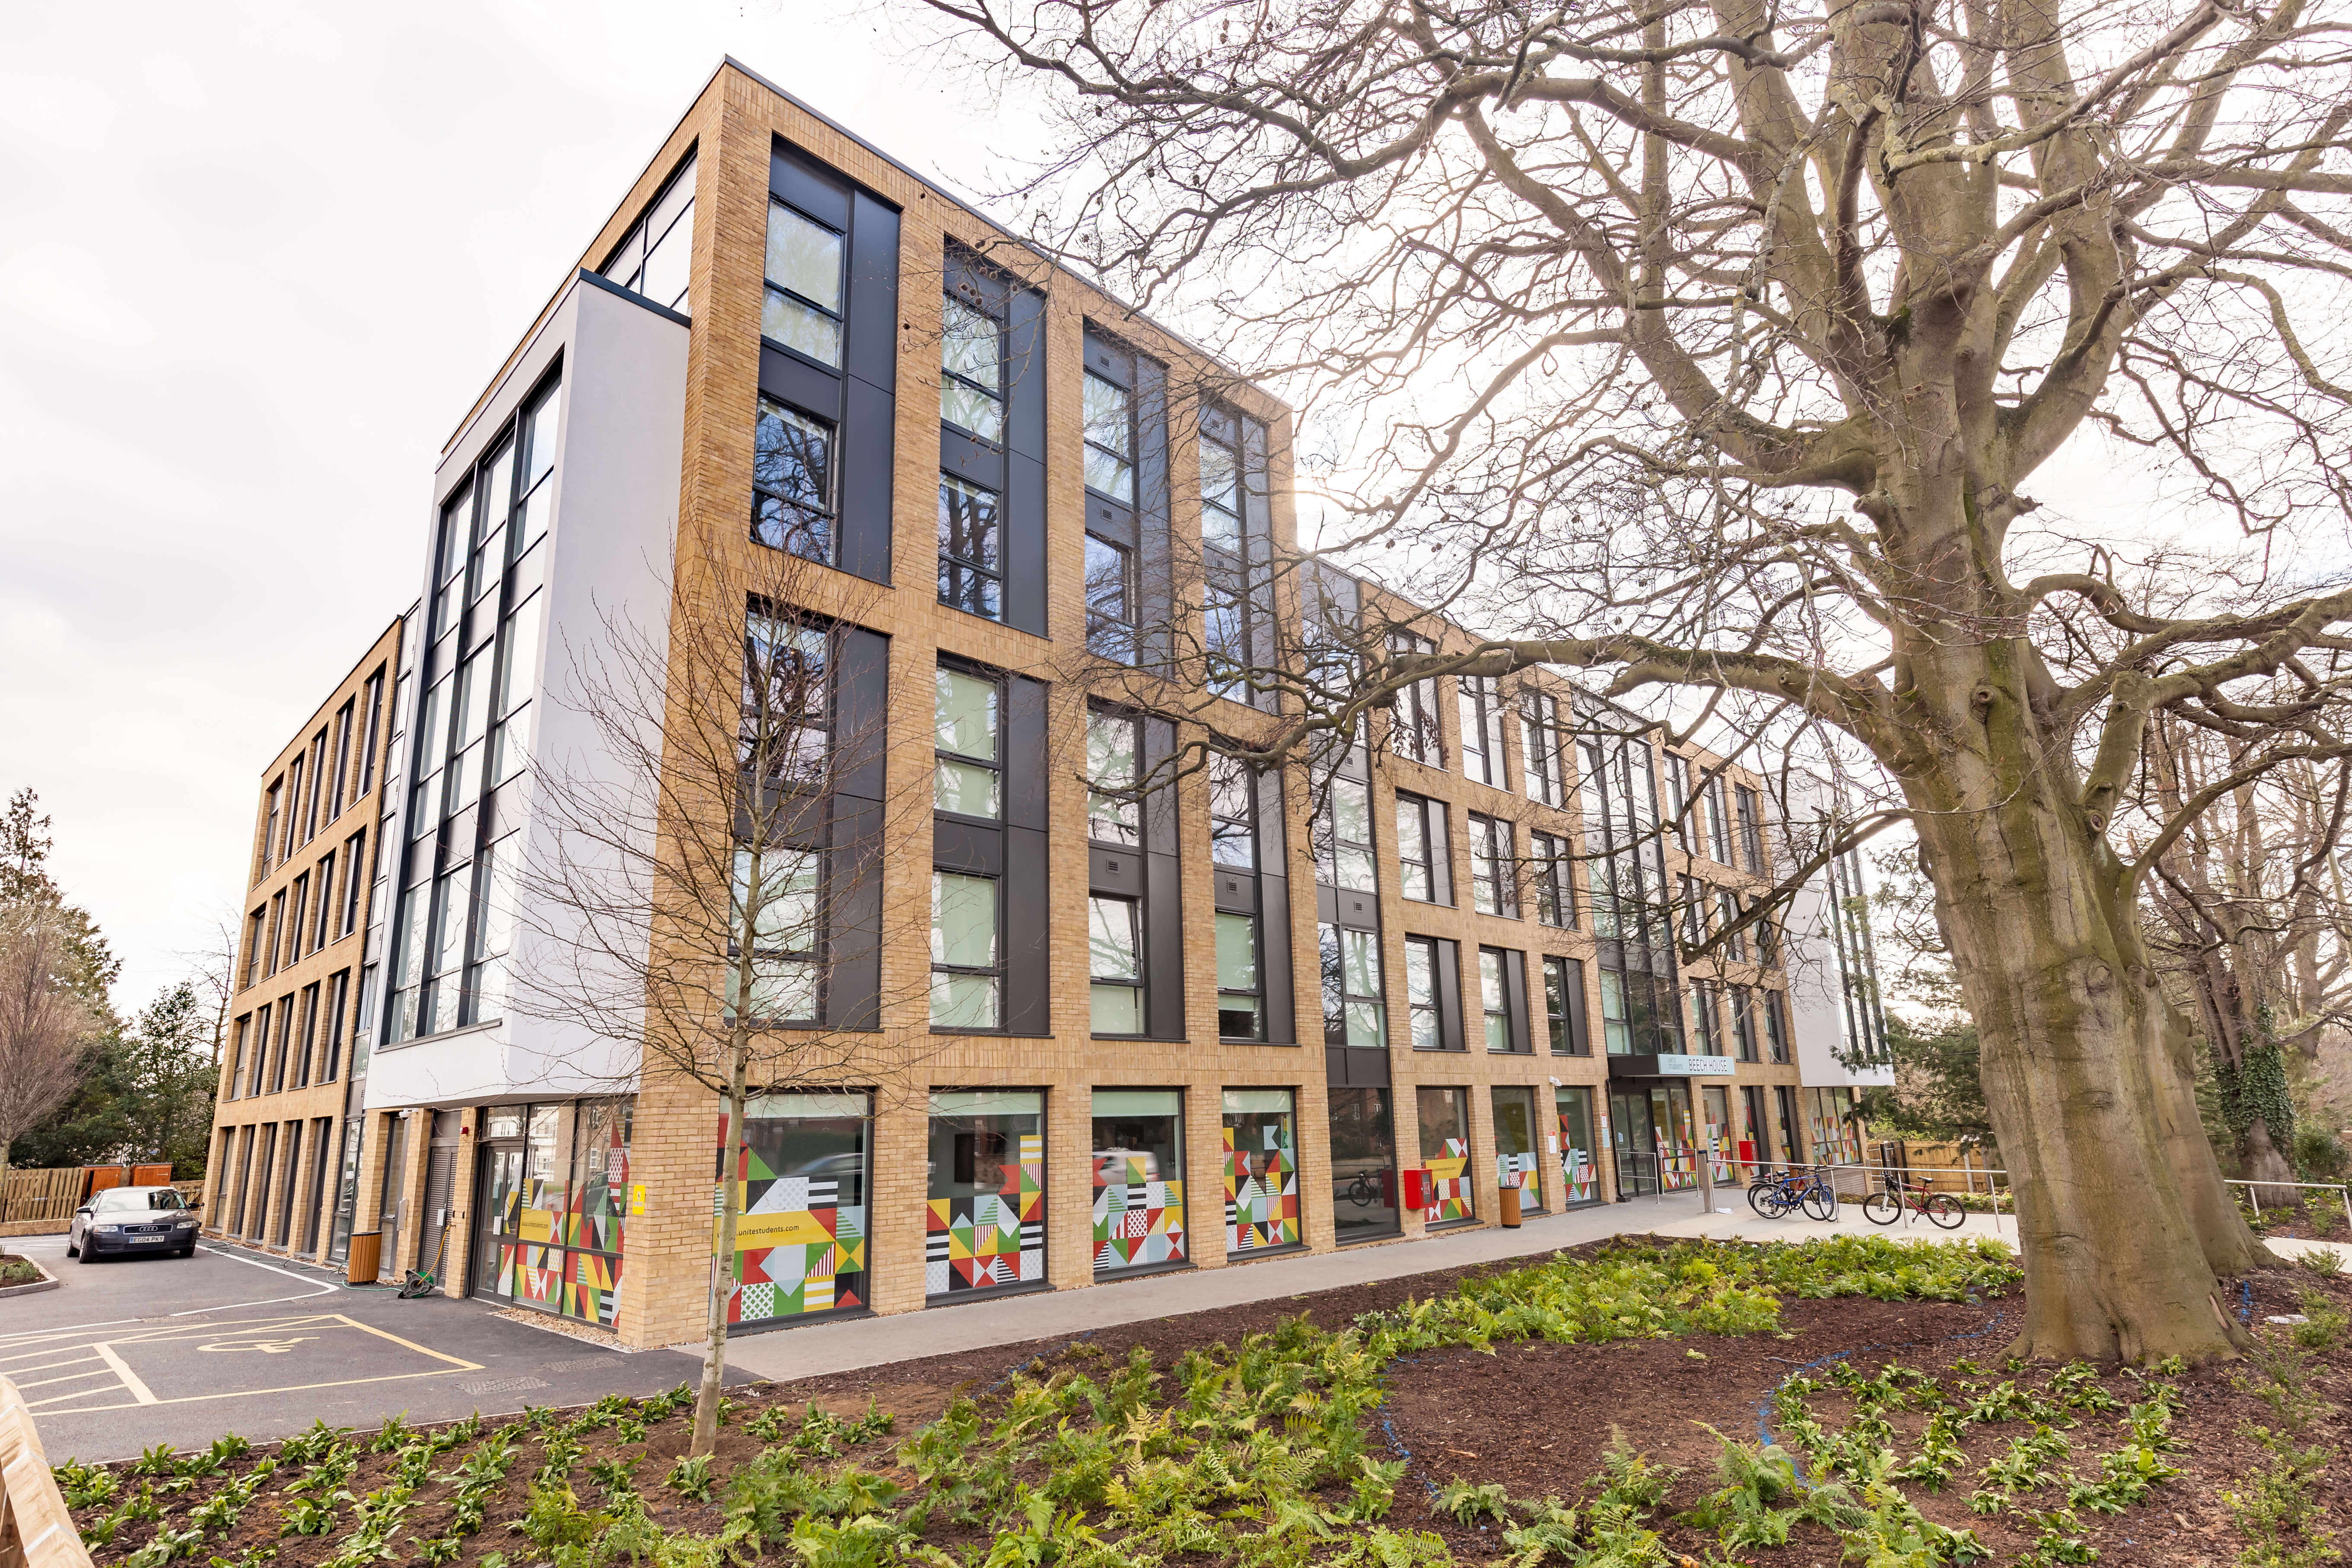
(258,262)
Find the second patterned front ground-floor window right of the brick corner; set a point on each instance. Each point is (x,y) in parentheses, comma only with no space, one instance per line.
(987,1202)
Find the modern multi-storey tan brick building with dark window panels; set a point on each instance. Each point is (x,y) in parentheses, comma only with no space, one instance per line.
(1180,1026)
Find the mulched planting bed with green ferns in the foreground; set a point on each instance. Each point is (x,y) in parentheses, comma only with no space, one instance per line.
(1601,1409)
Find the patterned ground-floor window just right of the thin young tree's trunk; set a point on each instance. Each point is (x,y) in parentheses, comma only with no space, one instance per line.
(801,1228)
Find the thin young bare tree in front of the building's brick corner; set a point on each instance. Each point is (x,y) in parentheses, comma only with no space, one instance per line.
(711,887)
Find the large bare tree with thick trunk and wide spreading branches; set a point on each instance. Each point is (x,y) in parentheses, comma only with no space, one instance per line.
(1716,347)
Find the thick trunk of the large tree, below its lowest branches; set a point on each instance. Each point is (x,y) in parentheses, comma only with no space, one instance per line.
(2123,1212)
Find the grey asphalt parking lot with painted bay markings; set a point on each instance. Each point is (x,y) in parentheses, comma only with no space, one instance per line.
(161,1351)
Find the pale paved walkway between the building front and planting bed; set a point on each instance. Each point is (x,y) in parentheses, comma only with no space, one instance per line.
(876,1341)
